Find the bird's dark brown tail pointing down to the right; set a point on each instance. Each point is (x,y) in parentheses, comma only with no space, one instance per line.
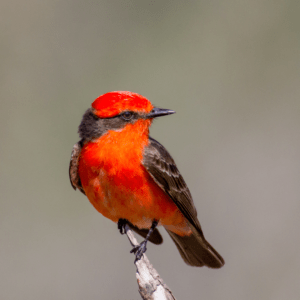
(196,251)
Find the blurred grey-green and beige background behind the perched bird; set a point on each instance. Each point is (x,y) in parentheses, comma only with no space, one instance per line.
(231,71)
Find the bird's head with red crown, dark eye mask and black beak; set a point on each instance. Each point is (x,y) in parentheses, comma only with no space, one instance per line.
(116,110)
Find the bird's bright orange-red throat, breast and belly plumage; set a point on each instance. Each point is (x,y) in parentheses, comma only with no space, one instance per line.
(118,185)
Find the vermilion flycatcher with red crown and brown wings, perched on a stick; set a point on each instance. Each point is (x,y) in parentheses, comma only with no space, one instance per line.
(131,178)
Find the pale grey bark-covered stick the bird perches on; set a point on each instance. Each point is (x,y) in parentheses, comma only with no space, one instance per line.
(151,286)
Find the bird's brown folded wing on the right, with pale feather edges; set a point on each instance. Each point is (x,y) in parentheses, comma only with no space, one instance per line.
(163,170)
